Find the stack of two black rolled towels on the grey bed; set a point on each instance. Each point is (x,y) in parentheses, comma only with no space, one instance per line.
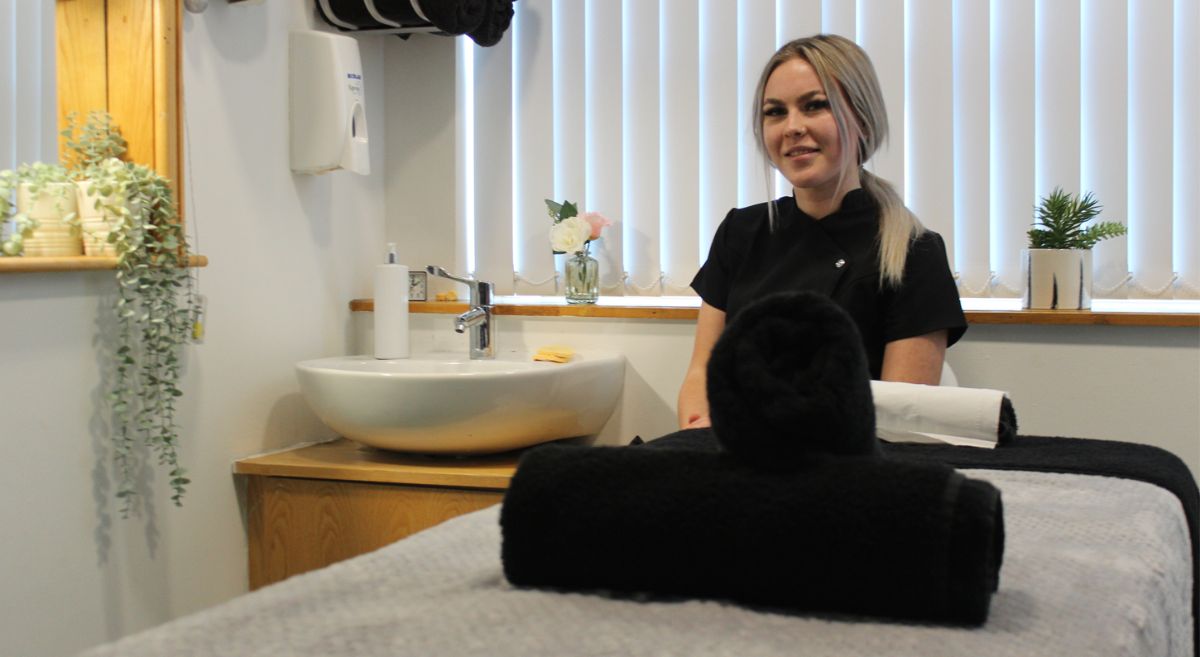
(789,511)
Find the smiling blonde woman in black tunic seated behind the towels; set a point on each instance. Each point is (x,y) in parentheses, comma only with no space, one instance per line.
(844,232)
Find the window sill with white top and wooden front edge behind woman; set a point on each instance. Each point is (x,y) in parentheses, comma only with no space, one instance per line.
(979,311)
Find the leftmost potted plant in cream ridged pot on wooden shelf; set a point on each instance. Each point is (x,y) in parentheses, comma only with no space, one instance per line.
(38,206)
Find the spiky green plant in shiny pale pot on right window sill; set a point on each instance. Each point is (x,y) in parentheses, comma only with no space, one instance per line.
(1058,267)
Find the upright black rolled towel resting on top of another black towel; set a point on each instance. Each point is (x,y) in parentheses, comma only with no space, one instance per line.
(789,379)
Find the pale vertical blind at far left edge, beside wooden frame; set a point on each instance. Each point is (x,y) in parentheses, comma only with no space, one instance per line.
(28,113)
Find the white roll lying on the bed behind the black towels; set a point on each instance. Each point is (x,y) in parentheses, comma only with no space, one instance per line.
(915,413)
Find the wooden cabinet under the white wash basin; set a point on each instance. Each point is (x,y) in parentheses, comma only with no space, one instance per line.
(311,507)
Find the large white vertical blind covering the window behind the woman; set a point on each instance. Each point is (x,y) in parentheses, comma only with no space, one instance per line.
(640,110)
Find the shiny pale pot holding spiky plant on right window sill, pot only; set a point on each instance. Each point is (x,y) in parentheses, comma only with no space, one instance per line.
(1058,279)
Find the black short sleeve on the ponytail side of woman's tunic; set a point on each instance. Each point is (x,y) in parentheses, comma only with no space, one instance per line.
(928,299)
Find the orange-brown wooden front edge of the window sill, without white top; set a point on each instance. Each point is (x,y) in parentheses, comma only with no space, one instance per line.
(1063,318)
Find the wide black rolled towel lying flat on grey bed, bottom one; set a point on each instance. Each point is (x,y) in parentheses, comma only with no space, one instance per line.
(841,535)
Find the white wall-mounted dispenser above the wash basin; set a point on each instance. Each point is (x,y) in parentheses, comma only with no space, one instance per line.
(328,114)
